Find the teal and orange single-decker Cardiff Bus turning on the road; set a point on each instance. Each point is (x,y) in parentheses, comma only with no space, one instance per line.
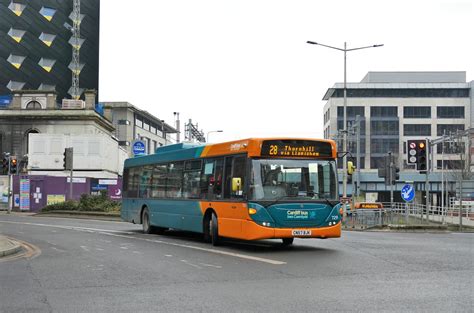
(248,189)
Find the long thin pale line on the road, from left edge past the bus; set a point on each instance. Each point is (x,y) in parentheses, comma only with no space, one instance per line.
(125,234)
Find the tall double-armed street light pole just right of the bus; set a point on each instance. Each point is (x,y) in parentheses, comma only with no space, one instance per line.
(344,133)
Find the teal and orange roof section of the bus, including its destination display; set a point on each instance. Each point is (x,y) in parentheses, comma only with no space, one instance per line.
(253,147)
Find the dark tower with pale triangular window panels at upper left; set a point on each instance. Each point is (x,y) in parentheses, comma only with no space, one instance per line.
(36,46)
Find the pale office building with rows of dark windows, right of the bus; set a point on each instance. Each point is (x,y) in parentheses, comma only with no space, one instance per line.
(395,107)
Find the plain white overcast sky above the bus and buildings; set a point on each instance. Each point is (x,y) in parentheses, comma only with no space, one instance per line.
(244,66)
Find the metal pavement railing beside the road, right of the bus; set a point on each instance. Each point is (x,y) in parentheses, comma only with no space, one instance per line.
(407,214)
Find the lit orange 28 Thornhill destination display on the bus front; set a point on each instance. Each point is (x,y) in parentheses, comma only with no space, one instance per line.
(296,148)
